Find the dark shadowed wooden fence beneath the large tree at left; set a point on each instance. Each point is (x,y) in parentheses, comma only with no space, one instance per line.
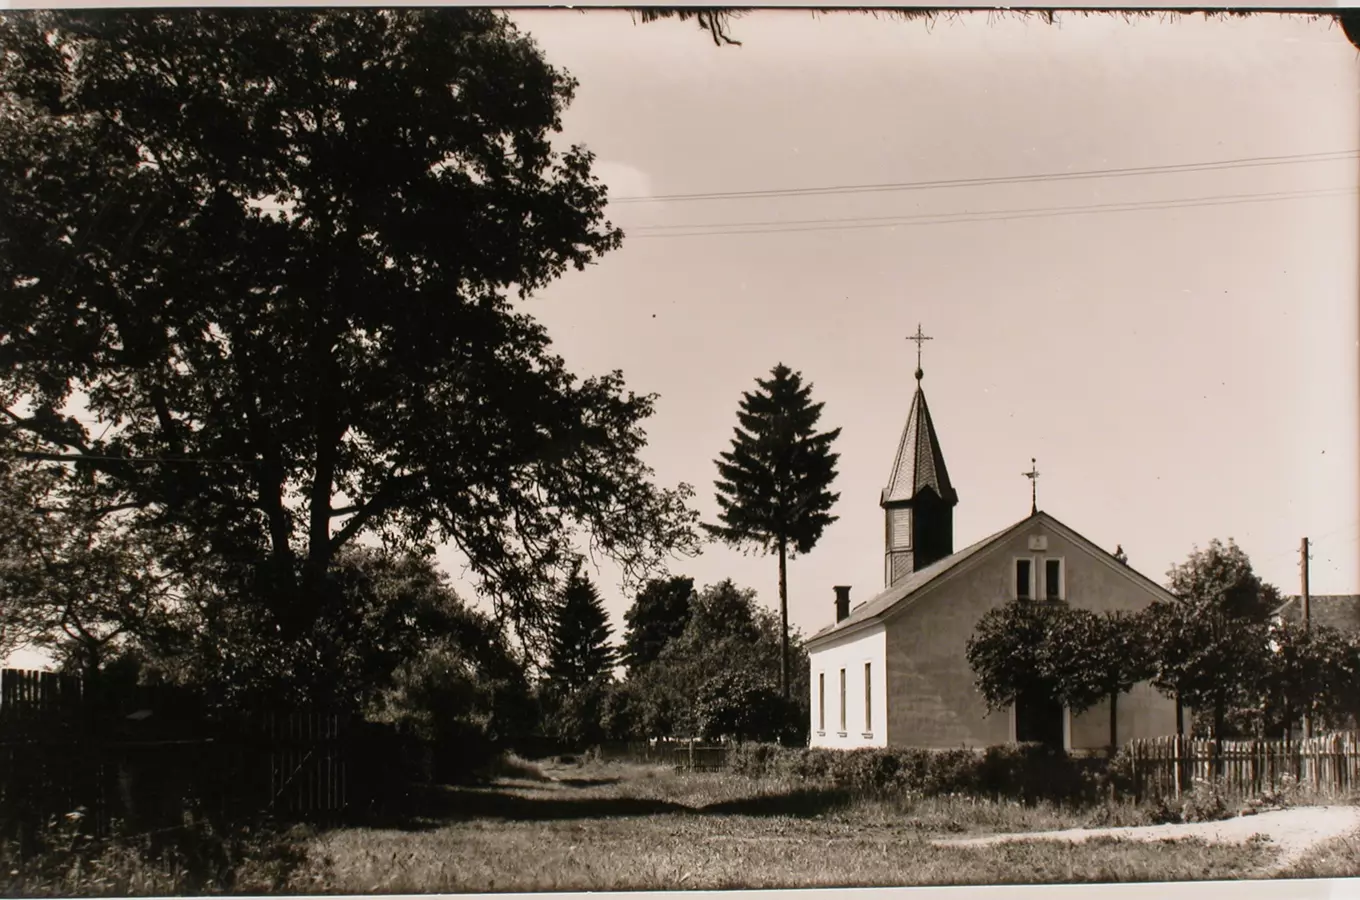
(143,757)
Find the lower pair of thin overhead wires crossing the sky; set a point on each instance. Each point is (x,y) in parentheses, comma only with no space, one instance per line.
(953,218)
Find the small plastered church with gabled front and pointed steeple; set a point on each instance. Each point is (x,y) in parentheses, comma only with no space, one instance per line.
(893,672)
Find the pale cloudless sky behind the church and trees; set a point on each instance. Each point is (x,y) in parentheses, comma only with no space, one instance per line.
(1184,370)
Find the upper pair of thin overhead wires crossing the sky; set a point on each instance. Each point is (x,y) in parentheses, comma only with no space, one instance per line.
(1245,162)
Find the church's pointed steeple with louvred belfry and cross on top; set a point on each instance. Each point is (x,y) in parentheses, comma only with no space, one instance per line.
(919,502)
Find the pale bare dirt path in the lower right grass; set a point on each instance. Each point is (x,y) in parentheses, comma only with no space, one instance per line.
(1294,831)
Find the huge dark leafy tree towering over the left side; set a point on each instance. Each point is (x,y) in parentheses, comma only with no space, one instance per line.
(271,255)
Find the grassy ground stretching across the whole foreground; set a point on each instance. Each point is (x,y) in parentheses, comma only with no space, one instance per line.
(618,827)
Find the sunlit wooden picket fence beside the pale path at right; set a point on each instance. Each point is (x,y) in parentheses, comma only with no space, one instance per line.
(1170,766)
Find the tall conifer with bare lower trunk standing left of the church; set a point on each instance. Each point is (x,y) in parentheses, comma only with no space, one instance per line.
(775,487)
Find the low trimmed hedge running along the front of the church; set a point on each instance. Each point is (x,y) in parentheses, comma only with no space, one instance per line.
(1027,773)
